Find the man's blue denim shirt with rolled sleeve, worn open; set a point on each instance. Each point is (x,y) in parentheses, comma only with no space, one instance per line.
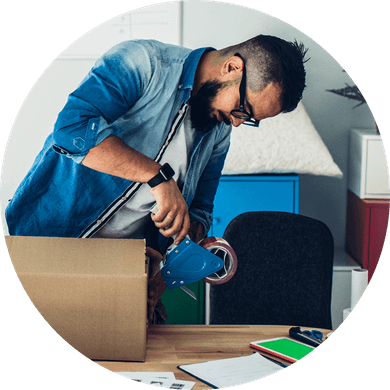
(137,91)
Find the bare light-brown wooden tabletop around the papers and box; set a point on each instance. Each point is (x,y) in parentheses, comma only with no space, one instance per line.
(171,345)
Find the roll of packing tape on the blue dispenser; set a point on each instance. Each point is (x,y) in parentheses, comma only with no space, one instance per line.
(222,249)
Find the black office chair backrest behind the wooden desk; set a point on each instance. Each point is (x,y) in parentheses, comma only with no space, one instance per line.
(284,273)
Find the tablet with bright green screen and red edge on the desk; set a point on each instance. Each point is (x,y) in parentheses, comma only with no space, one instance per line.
(284,348)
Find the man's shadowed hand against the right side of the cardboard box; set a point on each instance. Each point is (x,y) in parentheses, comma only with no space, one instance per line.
(156,284)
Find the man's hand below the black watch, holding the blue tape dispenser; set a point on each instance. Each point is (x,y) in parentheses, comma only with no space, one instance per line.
(172,217)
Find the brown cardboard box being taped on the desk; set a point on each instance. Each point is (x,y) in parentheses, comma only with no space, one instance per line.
(92,292)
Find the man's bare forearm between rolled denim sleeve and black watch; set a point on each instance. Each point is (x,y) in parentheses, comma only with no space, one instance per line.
(114,157)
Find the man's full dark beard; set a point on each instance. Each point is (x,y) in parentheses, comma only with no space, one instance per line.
(201,109)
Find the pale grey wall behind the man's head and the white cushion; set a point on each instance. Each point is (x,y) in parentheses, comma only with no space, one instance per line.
(222,24)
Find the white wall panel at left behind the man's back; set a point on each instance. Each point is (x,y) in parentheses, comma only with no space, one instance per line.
(38,113)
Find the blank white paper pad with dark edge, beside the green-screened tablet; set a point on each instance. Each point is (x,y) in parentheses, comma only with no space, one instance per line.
(234,371)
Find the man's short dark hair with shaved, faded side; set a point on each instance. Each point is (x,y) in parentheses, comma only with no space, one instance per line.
(272,59)
